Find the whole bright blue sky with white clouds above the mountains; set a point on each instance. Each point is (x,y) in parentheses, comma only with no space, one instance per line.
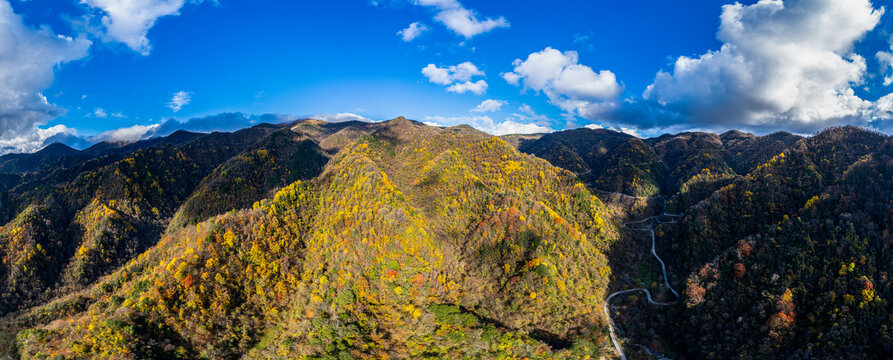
(83,71)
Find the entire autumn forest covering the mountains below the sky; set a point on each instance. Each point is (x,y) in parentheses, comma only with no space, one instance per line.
(400,240)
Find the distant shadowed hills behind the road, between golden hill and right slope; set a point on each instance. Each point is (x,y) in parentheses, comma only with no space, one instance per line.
(685,167)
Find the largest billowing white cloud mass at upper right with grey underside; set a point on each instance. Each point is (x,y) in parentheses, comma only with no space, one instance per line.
(782,64)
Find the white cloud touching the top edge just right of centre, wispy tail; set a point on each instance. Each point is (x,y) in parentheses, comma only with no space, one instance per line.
(460,20)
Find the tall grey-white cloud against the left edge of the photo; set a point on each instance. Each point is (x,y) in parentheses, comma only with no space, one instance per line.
(28,58)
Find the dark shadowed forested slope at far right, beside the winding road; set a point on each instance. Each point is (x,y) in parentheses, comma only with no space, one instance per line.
(792,261)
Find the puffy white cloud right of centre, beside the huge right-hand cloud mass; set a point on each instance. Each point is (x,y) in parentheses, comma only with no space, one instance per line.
(573,87)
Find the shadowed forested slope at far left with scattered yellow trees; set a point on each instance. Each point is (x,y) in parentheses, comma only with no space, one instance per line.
(68,226)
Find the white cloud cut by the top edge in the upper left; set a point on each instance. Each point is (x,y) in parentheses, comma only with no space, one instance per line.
(129,21)
